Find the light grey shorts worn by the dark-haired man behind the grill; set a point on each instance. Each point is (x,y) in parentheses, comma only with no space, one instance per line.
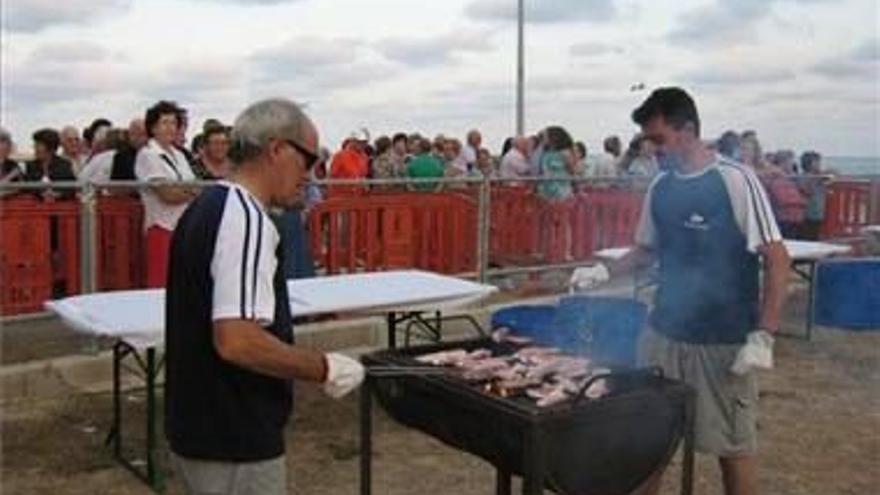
(726,404)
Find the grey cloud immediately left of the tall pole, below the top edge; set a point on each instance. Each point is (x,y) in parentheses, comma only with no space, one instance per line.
(439,50)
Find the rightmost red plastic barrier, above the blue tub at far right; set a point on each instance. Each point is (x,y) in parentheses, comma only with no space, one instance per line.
(847,208)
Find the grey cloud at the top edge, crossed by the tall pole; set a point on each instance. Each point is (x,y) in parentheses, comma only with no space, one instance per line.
(543,11)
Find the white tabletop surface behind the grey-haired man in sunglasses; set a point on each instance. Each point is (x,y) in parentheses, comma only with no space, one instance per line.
(138,316)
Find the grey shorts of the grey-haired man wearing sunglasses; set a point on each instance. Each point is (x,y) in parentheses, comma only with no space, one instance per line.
(228,478)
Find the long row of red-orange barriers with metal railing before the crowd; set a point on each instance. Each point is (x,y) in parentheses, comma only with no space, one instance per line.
(89,237)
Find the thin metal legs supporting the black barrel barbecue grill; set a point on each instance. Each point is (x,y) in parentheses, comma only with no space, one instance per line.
(533,458)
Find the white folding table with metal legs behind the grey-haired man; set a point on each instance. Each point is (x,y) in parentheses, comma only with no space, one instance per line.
(135,319)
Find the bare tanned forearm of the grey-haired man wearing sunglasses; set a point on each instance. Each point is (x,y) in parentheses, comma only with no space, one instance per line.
(247,345)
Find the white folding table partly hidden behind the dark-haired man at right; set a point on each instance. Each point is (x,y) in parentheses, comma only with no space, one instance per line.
(804,257)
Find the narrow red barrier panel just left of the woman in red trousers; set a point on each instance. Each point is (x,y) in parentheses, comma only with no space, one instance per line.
(120,243)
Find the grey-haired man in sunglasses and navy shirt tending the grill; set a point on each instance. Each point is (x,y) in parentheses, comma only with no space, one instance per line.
(230,352)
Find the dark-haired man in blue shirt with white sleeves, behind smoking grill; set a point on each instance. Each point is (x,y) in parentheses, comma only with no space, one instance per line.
(706,221)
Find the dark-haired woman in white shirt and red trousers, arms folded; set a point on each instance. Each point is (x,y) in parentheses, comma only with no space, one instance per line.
(161,163)
